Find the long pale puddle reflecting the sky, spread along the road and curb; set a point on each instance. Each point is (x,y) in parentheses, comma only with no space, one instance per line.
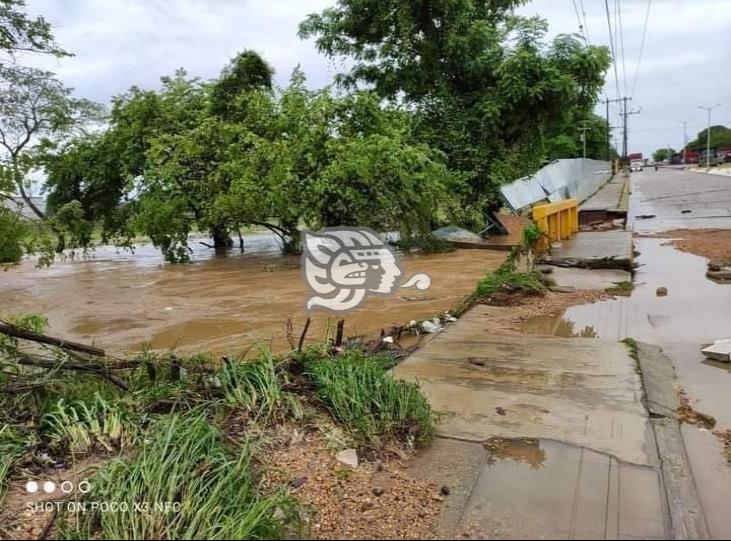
(695,312)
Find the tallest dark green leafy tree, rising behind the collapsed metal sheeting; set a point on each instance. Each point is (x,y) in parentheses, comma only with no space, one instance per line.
(487,89)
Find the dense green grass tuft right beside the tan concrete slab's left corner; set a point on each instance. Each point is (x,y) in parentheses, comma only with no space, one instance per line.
(369,402)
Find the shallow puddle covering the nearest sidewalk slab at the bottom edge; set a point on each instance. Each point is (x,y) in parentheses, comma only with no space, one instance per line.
(542,489)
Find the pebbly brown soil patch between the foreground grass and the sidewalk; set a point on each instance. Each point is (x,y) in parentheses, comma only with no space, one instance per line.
(376,500)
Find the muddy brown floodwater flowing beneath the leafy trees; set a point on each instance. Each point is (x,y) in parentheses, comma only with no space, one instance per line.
(123,300)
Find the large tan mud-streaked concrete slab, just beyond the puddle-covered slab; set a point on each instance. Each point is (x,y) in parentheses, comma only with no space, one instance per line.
(581,391)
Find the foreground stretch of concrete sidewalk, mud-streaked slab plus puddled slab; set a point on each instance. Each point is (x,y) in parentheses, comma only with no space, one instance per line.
(543,437)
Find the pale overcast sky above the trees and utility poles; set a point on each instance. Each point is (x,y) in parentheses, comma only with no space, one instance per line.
(119,43)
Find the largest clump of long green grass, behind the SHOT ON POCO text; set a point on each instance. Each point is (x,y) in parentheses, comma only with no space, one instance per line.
(184,484)
